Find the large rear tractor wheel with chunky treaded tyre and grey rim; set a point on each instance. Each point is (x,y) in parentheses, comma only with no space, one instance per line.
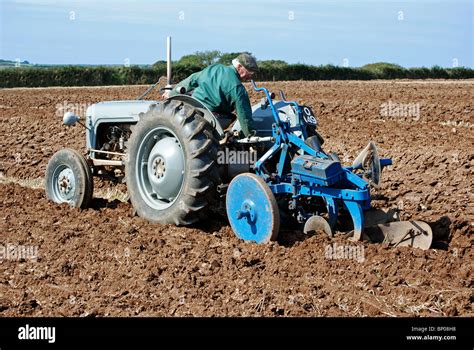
(170,168)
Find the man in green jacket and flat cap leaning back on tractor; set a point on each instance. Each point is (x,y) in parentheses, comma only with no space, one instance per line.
(220,89)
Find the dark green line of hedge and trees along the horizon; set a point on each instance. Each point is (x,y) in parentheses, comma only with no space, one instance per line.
(270,70)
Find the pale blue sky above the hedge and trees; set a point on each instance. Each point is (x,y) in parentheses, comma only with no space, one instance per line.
(410,33)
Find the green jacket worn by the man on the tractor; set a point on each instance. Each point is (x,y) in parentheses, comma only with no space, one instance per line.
(219,88)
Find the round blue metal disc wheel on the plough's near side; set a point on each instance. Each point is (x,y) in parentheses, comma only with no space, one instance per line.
(252,209)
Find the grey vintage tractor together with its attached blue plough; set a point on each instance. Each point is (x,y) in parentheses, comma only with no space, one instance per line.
(181,163)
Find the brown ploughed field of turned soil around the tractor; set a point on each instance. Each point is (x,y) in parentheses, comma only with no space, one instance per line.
(56,260)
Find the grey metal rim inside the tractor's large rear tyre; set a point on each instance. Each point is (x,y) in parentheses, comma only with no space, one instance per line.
(160,168)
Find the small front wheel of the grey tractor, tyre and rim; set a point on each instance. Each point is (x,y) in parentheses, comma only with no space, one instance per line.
(69,179)
